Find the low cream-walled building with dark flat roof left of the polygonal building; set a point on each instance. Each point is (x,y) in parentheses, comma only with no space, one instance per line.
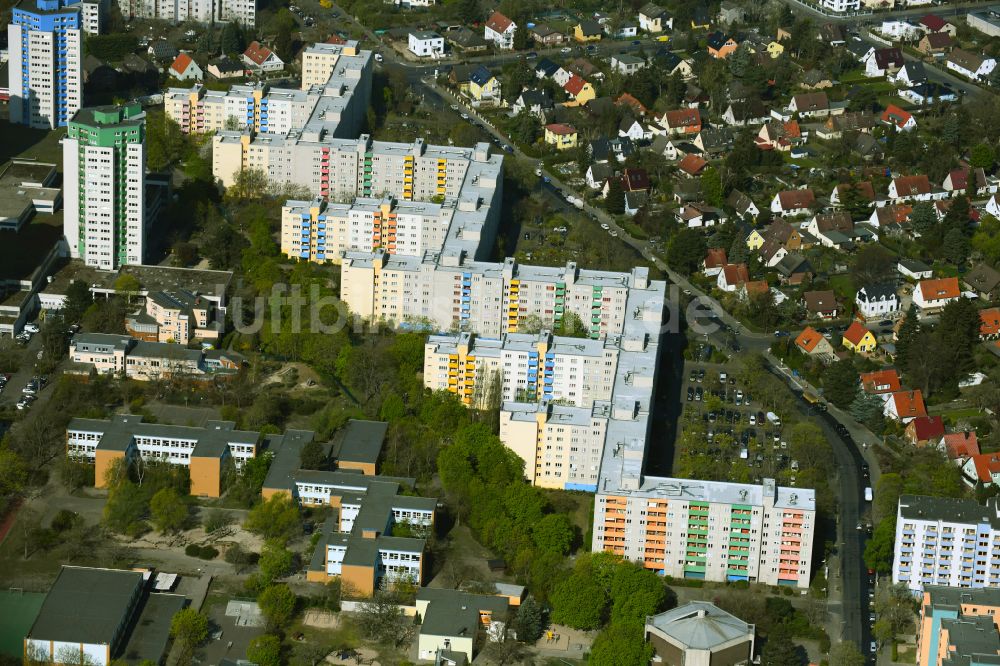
(455,621)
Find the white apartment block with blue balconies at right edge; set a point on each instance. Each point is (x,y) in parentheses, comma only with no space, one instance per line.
(951,542)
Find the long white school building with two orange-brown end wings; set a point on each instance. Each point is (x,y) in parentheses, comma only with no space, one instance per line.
(205,451)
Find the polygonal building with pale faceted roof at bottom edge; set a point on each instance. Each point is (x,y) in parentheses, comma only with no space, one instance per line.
(700,633)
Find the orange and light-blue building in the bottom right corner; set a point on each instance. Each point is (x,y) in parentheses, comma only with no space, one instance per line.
(958,626)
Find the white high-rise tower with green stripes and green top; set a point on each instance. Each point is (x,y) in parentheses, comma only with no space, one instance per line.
(104,181)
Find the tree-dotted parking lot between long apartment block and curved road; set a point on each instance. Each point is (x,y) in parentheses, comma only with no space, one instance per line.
(735,425)
